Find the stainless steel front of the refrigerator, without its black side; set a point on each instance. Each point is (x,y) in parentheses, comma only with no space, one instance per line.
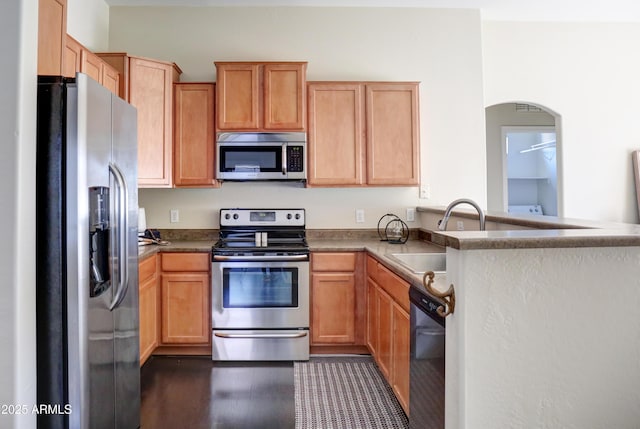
(105,348)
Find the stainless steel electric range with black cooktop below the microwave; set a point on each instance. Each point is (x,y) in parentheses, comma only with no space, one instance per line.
(260,286)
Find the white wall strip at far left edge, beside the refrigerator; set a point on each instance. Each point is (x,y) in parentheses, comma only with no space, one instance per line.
(18,44)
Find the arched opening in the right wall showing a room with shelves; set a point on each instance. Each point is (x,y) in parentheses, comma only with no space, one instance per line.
(523,159)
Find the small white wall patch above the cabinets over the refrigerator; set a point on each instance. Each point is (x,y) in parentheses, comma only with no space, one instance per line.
(88,23)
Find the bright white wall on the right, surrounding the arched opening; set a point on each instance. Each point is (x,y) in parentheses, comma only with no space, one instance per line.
(588,74)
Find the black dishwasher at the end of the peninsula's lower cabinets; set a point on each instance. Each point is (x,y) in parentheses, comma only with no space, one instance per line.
(427,362)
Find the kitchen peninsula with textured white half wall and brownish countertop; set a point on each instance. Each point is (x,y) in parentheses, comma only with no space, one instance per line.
(546,330)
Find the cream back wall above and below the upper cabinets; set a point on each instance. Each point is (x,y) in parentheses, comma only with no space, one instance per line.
(440,48)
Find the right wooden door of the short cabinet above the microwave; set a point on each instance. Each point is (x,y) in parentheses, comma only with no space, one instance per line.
(284,96)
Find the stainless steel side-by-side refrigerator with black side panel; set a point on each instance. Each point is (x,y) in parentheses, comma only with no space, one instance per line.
(88,370)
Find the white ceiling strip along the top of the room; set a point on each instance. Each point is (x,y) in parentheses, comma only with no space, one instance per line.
(499,10)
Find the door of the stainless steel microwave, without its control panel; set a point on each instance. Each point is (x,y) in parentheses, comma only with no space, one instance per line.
(247,161)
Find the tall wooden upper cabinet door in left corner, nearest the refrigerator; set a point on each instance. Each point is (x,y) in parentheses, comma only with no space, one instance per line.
(150,91)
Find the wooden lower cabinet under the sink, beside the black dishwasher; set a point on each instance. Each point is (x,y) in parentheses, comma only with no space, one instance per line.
(388,327)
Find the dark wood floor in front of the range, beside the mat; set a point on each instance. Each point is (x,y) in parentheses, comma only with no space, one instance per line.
(194,393)
